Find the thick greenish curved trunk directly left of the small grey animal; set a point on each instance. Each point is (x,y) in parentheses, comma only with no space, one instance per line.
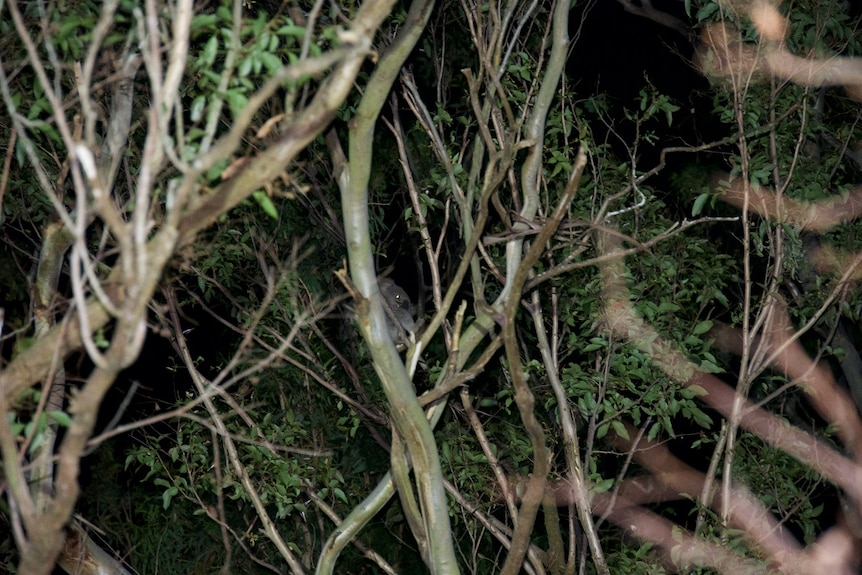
(407,414)
